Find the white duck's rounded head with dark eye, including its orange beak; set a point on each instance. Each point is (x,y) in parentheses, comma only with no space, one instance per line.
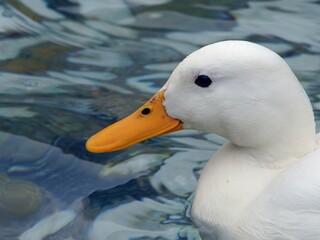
(236,89)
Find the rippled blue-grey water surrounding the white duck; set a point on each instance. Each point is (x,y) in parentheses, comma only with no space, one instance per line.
(69,68)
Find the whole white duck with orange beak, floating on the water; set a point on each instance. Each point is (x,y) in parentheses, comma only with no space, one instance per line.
(265,182)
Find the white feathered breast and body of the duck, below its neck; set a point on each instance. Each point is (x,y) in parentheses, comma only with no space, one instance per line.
(257,202)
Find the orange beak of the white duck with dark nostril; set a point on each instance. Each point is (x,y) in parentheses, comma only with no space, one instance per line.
(148,121)
